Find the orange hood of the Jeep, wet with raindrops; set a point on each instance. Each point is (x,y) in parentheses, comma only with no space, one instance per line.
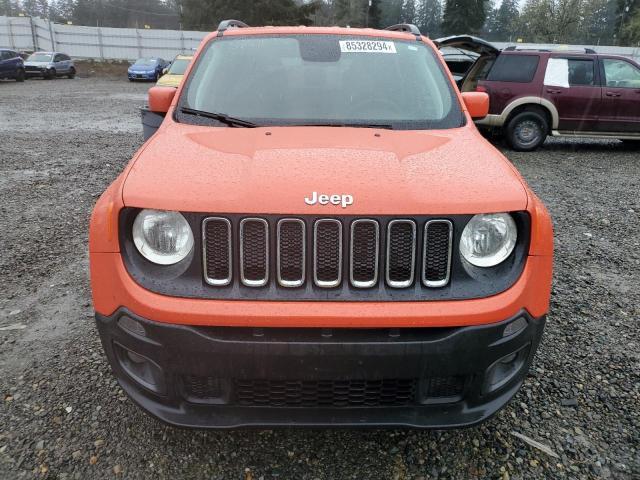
(272,170)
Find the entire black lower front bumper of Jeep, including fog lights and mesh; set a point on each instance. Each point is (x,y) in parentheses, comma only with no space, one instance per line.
(224,377)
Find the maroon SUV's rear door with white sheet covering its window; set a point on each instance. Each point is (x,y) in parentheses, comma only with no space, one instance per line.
(572,84)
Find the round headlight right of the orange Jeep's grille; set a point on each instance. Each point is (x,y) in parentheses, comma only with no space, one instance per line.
(488,239)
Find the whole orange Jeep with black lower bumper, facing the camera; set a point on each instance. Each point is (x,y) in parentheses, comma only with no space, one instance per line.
(317,234)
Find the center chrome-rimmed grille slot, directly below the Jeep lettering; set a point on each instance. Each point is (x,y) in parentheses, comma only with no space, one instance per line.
(327,253)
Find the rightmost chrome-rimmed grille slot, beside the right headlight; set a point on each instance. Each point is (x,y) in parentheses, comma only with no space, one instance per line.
(436,260)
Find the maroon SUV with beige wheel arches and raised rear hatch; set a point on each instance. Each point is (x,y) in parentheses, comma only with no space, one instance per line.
(535,93)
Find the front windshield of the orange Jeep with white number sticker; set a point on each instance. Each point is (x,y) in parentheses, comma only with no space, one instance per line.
(322,80)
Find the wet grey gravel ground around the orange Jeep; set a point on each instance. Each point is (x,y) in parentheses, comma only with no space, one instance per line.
(62,414)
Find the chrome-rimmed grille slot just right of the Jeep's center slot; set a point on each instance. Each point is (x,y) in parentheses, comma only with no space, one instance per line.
(365,251)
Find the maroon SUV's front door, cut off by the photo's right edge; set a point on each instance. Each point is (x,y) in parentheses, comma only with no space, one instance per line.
(620,110)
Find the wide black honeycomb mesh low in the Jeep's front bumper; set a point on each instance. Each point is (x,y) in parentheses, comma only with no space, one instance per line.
(325,393)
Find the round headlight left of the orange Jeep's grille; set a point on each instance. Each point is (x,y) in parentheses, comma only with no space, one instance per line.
(162,237)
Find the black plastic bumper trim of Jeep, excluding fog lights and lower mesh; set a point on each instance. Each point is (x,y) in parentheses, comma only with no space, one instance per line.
(229,353)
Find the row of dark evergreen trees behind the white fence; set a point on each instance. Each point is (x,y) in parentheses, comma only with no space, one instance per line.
(599,22)
